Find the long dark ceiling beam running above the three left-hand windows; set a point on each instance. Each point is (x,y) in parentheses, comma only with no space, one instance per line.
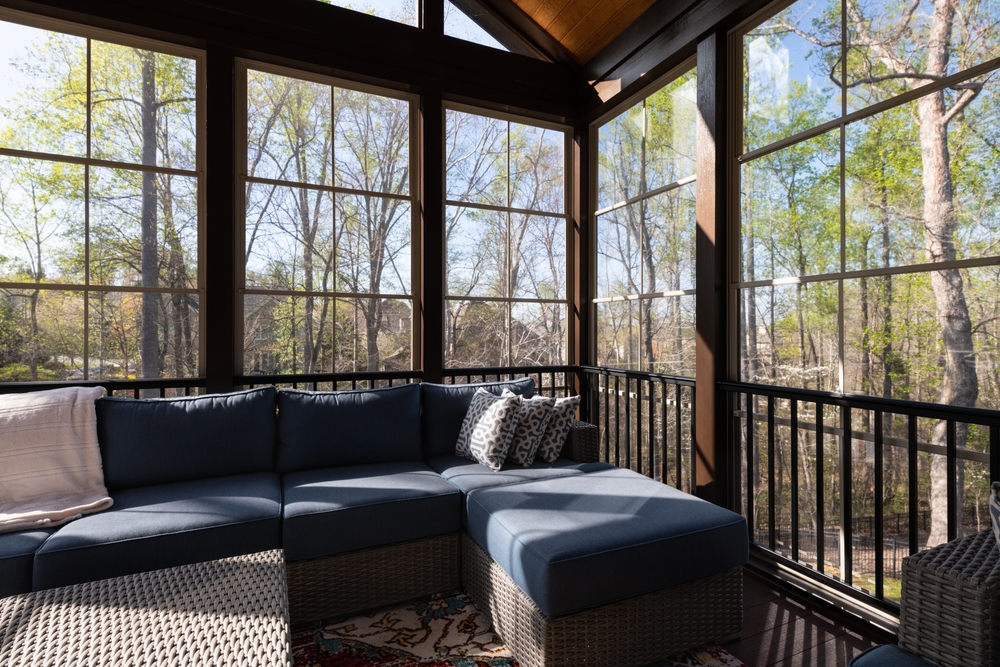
(363,48)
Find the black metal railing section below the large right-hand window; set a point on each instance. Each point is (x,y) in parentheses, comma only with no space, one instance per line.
(864,469)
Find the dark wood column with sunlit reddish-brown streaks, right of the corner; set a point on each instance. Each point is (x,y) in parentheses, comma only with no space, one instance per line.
(712,319)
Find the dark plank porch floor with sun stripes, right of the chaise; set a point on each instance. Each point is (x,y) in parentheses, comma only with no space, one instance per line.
(781,630)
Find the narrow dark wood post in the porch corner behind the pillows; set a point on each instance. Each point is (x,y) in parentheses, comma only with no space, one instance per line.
(579,265)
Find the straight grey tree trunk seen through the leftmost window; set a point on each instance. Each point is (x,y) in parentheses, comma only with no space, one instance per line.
(150,348)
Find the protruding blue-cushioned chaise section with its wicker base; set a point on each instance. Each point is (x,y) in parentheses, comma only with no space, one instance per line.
(606,568)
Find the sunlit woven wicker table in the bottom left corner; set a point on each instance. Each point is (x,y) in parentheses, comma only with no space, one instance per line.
(227,612)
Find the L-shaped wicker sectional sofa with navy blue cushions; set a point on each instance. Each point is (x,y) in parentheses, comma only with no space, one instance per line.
(364,494)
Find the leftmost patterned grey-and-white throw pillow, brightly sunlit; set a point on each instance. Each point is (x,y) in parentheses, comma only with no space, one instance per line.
(488,428)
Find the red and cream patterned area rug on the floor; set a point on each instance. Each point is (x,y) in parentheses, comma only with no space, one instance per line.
(442,631)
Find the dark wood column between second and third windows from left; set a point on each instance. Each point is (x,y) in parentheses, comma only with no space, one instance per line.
(431,352)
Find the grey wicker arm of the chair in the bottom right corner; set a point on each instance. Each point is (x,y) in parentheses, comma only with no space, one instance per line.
(950,608)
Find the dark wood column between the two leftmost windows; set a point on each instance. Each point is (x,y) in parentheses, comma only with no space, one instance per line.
(218,307)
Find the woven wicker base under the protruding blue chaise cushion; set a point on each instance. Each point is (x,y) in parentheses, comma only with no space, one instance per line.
(636,631)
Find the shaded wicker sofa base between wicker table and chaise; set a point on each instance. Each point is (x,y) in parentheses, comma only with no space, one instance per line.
(348,583)
